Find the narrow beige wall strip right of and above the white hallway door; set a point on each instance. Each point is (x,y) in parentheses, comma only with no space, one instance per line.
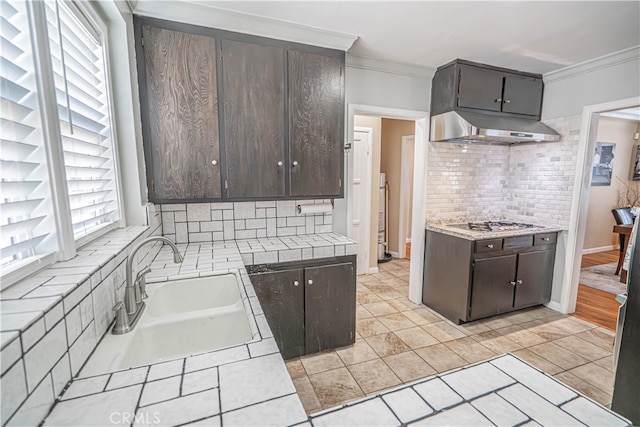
(376,124)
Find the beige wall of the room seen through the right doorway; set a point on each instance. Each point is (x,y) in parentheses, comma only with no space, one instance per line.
(604,198)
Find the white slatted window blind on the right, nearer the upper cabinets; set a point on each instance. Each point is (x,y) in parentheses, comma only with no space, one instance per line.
(79,66)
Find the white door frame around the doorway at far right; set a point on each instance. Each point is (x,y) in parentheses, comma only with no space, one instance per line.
(580,201)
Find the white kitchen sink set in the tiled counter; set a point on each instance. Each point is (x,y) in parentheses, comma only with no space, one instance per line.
(182,318)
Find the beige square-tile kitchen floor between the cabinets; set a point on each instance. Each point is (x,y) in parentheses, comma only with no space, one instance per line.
(398,341)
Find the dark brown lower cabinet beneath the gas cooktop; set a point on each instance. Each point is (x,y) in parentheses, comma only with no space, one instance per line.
(467,280)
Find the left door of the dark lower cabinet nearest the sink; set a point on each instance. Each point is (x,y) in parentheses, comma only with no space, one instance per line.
(283,304)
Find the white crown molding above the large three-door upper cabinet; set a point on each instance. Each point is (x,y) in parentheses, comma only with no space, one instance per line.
(199,13)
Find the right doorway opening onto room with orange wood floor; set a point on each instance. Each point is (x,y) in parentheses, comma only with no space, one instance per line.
(612,186)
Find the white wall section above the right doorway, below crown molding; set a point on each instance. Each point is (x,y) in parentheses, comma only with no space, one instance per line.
(610,78)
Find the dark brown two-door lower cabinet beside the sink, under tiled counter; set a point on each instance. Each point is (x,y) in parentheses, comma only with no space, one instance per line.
(310,306)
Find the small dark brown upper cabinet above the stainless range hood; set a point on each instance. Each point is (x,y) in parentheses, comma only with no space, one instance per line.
(467,85)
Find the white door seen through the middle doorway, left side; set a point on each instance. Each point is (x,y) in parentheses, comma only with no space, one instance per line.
(361,195)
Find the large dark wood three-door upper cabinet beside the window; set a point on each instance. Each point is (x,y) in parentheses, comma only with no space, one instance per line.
(229,116)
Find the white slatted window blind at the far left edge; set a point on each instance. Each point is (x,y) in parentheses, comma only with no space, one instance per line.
(24,192)
